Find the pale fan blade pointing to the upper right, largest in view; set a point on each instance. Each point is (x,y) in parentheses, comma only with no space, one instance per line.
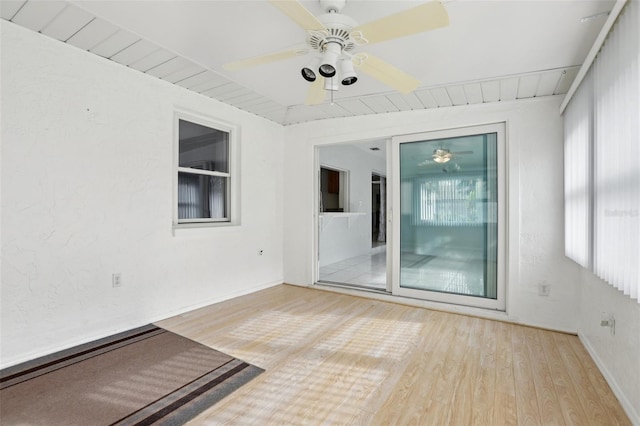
(425,17)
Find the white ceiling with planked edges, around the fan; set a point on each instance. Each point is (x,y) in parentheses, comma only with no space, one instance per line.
(492,50)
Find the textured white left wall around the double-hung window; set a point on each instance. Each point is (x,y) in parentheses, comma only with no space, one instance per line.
(87,175)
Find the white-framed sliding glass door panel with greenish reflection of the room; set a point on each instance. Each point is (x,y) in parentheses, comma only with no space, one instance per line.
(449,200)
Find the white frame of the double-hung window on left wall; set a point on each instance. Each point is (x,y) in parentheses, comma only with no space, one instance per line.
(232,198)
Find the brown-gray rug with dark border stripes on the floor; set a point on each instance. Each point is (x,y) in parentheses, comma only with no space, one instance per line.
(141,377)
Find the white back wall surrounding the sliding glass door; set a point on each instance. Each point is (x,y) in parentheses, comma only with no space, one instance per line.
(535,198)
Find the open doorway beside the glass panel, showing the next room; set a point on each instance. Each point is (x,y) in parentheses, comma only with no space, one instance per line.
(351,229)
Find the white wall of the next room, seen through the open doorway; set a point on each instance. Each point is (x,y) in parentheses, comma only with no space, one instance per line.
(342,238)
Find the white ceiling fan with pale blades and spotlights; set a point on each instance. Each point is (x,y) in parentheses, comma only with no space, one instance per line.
(333,38)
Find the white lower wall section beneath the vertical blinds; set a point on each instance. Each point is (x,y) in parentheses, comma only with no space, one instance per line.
(617,355)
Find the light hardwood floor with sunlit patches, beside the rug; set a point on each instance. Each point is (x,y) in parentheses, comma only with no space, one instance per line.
(338,359)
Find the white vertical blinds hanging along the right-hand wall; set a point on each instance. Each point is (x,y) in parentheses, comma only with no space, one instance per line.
(602,161)
